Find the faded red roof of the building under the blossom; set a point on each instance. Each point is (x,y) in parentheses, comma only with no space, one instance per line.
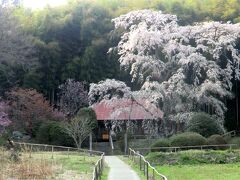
(119,109)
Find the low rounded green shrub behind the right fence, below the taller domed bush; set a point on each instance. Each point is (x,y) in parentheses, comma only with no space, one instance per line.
(188,139)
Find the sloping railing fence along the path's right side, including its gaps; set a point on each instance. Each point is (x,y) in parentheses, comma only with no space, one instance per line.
(150,172)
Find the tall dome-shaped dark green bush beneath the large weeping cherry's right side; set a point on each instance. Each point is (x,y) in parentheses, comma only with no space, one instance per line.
(204,124)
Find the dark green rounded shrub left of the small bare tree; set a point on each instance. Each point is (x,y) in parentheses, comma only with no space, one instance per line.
(52,132)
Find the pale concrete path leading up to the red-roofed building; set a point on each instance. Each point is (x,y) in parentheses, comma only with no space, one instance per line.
(119,170)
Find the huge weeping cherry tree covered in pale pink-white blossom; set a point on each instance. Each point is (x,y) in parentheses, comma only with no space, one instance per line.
(185,68)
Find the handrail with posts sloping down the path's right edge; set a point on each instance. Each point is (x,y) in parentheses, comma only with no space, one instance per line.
(154,171)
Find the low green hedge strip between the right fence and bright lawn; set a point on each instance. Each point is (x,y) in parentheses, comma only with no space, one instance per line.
(192,157)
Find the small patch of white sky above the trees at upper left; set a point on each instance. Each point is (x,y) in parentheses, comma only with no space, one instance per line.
(34,4)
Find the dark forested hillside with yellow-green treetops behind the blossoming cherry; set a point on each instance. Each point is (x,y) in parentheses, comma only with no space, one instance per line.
(73,41)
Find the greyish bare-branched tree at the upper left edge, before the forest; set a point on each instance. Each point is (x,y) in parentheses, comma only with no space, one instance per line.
(17,52)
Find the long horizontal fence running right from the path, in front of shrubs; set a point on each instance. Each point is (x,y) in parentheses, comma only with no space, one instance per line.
(179,148)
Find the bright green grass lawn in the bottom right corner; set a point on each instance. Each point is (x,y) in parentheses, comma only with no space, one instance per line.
(201,172)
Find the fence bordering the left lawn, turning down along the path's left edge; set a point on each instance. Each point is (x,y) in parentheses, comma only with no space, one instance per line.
(30,148)
